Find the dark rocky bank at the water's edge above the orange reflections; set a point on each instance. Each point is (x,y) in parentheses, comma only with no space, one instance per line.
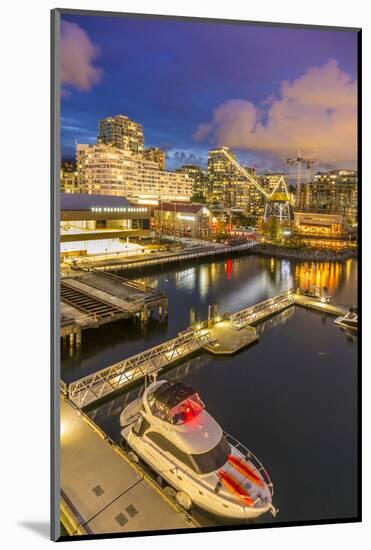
(305,254)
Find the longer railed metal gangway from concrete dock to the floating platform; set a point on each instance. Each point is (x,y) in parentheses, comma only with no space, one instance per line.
(89,389)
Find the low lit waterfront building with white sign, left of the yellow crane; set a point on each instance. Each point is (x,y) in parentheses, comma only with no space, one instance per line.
(183,220)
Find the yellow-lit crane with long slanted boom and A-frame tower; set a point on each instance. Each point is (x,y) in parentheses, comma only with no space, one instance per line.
(277,203)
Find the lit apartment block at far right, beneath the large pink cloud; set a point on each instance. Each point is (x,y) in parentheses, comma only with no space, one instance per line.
(335,192)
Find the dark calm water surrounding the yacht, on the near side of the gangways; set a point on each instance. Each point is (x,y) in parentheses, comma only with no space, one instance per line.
(291,398)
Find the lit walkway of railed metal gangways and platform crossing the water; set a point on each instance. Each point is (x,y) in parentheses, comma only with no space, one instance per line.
(224,335)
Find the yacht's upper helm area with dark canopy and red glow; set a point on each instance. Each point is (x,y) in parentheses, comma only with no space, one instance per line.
(175,402)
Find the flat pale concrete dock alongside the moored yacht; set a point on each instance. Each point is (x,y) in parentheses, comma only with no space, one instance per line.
(102,491)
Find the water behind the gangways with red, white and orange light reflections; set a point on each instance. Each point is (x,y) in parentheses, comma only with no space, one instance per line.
(233,284)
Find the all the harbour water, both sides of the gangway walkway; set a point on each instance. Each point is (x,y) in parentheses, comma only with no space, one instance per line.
(291,398)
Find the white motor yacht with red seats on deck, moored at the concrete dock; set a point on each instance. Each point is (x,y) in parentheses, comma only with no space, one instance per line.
(170,430)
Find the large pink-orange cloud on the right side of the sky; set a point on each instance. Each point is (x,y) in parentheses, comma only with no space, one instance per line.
(316,114)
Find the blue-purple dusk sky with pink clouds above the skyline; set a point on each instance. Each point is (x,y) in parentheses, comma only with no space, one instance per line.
(265,92)
